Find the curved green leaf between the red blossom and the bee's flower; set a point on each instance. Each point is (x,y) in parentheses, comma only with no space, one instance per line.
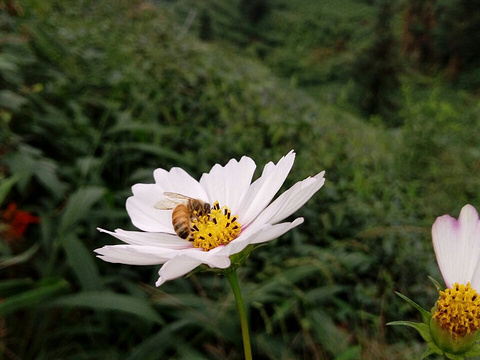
(78,206)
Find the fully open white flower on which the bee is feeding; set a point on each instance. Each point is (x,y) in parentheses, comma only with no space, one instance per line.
(229,186)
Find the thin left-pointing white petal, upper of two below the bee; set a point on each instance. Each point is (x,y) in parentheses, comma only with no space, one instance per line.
(168,241)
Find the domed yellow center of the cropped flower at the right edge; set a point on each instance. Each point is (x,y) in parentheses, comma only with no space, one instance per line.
(458,310)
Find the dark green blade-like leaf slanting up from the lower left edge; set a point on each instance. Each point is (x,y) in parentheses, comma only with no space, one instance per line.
(33,297)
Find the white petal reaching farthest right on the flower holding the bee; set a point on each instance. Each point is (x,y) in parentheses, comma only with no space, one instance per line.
(291,200)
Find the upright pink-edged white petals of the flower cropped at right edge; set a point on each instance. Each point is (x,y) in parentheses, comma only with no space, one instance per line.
(457,247)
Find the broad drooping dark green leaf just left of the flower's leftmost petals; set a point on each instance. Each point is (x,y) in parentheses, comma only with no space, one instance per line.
(82,263)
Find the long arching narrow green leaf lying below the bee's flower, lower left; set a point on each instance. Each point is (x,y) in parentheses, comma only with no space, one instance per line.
(109,301)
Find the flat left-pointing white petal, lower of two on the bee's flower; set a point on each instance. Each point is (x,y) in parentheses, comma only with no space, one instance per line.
(135,254)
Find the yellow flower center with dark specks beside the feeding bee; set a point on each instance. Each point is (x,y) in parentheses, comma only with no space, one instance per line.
(217,228)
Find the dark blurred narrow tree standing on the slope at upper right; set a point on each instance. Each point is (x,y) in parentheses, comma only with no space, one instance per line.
(375,70)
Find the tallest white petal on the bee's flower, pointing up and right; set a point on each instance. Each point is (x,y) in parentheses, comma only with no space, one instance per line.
(262,191)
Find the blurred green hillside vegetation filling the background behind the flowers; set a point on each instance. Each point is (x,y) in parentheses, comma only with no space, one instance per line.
(95,95)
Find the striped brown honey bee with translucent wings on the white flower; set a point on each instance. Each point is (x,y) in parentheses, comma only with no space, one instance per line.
(185,209)
